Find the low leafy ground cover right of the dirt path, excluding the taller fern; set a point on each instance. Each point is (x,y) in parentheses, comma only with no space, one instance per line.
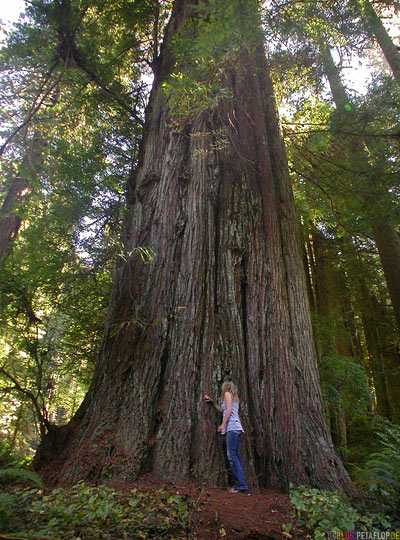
(322,512)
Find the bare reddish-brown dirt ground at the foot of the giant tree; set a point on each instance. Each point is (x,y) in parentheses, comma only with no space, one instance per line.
(219,514)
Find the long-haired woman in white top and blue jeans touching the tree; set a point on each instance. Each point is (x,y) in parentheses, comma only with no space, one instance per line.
(232,427)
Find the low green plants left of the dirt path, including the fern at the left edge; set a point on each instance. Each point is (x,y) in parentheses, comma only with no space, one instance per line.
(29,510)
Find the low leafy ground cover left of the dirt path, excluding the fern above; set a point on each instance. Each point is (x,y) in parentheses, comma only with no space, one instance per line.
(89,513)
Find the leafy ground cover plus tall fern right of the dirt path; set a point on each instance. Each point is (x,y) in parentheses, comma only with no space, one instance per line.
(374,507)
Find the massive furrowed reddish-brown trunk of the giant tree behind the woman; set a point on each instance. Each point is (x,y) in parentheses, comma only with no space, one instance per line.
(225,297)
